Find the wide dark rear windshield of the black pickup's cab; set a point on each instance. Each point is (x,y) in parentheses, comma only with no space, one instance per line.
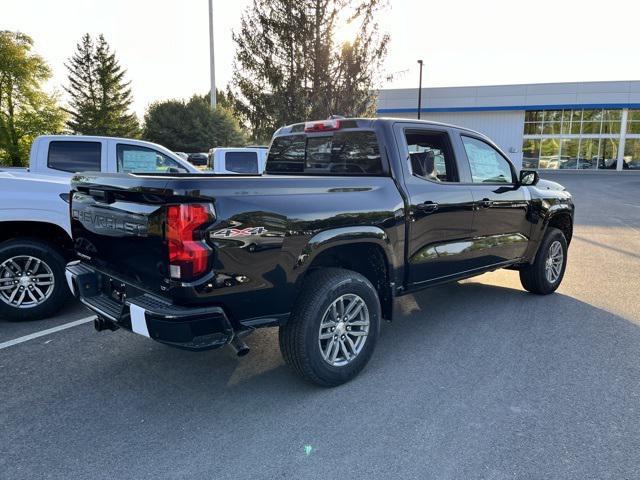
(340,153)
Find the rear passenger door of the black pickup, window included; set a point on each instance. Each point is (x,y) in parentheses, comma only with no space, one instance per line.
(440,206)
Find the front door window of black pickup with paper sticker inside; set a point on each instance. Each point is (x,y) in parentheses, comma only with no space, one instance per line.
(487,164)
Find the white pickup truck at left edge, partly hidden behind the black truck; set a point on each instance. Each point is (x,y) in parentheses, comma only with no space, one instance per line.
(35,239)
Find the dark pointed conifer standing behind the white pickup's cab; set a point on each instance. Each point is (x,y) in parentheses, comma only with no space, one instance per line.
(100,98)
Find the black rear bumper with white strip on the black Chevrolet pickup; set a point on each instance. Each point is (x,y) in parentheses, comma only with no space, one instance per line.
(149,315)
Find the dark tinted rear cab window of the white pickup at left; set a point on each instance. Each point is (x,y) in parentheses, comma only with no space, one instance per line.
(74,156)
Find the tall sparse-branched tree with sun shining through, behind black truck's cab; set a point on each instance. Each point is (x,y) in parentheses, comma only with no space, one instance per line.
(288,68)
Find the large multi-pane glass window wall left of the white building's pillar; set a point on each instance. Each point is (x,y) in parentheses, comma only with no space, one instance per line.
(573,139)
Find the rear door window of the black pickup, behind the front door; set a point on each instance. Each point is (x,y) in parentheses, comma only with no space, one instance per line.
(430,156)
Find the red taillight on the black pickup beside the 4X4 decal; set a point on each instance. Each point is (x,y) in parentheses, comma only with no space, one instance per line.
(188,254)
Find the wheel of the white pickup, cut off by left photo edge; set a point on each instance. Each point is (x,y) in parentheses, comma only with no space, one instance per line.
(32,280)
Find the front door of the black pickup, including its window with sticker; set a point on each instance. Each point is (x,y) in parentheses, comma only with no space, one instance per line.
(500,225)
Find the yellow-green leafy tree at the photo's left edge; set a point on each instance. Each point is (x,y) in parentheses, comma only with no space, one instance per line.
(25,109)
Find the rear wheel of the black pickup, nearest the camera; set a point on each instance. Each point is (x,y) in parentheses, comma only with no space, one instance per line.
(334,327)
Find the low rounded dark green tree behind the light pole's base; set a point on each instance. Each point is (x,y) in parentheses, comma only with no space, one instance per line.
(192,126)
